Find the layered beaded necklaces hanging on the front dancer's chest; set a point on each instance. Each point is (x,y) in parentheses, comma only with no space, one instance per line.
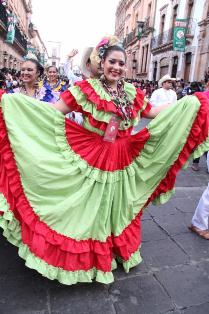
(119,98)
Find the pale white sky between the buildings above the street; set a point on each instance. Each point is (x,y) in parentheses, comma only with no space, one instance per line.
(75,23)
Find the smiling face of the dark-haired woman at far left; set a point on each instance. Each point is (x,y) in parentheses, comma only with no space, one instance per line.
(29,72)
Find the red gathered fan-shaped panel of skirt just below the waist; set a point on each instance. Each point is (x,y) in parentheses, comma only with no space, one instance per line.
(104,155)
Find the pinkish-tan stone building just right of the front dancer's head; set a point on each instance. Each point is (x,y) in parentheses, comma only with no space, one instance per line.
(134,25)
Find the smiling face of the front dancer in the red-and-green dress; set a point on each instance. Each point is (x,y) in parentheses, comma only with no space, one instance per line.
(114,66)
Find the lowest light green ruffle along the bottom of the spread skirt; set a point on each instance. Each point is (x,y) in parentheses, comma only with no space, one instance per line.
(12,233)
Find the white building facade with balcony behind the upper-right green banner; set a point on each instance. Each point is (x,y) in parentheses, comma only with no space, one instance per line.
(164,59)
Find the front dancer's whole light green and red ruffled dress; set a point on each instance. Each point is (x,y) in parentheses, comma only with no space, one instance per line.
(72,202)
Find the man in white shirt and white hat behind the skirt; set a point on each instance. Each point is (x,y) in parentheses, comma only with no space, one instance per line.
(165,94)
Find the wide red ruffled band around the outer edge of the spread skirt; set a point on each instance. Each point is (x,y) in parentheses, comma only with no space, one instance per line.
(66,253)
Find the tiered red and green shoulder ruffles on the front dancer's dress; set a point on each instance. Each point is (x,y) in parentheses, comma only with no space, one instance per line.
(90,98)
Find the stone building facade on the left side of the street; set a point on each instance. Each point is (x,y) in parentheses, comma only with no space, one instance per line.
(11,55)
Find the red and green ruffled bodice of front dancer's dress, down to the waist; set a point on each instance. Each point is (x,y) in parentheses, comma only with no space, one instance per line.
(97,107)
